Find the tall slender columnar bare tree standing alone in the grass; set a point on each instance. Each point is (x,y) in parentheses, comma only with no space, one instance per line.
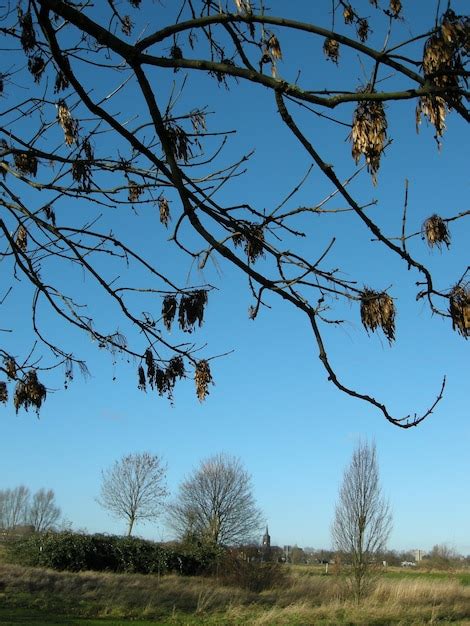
(363,518)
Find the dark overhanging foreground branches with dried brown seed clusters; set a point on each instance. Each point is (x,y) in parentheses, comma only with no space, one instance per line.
(77,144)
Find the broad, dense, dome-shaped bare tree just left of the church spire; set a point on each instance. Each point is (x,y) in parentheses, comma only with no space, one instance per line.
(216,504)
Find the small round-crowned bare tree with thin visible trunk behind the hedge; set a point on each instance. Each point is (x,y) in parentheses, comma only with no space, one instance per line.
(134,488)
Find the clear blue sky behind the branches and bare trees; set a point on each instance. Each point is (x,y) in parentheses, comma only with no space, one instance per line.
(272,405)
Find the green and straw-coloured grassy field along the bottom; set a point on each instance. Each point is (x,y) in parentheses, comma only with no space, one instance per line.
(33,596)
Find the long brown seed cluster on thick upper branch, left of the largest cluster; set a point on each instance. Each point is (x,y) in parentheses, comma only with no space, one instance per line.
(369,134)
